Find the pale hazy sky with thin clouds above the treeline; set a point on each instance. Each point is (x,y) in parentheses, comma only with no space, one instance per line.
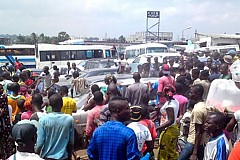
(113,18)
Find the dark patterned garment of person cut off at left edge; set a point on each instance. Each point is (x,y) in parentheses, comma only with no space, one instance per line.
(5,127)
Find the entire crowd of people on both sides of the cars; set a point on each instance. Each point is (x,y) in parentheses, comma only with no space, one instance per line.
(36,113)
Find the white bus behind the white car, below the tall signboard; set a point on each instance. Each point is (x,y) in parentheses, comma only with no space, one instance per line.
(135,50)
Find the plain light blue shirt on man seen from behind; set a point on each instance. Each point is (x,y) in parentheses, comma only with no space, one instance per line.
(58,131)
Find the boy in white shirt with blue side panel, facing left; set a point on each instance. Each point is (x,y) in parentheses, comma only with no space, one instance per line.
(217,147)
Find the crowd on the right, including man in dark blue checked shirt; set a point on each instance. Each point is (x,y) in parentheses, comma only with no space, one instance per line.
(181,121)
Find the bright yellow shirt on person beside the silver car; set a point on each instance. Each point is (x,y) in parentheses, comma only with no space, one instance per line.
(69,105)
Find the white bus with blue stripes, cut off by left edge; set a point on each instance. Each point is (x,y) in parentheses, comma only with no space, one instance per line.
(24,53)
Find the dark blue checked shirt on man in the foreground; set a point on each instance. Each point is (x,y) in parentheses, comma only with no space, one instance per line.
(113,140)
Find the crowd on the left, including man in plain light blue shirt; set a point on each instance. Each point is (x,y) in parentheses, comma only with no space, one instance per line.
(36,115)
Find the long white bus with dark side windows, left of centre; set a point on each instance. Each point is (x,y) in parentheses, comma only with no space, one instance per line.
(49,54)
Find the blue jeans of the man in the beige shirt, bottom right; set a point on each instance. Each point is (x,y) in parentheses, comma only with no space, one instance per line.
(187,152)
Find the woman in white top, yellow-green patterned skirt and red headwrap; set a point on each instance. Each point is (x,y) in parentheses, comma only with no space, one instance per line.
(169,129)
